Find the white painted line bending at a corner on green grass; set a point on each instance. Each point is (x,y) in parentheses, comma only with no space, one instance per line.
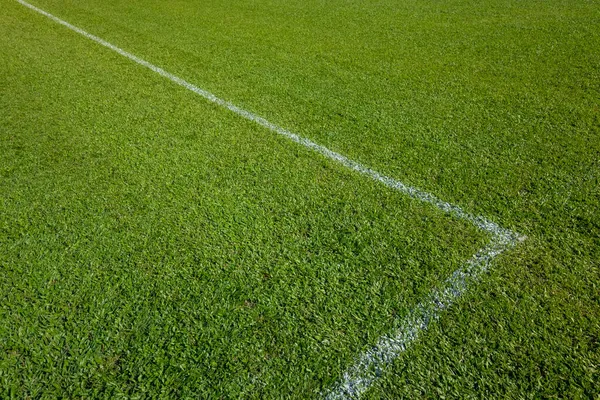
(368,366)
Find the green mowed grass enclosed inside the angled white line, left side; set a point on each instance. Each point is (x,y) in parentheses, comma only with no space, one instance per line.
(154,244)
